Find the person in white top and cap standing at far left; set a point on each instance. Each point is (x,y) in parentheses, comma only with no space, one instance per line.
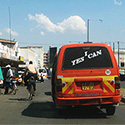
(9,75)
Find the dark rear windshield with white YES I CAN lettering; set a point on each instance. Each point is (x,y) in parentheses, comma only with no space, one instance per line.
(86,58)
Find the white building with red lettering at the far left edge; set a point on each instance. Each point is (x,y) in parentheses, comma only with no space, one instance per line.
(9,53)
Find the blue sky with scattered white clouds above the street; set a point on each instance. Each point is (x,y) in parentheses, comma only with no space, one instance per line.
(58,22)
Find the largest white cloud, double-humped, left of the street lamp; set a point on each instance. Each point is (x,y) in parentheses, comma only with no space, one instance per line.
(72,24)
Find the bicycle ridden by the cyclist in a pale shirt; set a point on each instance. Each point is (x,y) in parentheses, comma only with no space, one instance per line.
(30,87)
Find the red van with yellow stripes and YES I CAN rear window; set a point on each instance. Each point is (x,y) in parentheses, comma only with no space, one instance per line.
(86,74)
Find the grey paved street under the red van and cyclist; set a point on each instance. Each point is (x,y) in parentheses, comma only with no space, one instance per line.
(17,109)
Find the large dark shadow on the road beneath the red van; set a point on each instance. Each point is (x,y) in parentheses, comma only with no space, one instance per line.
(46,110)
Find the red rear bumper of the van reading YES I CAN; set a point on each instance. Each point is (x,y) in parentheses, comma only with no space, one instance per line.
(89,100)
